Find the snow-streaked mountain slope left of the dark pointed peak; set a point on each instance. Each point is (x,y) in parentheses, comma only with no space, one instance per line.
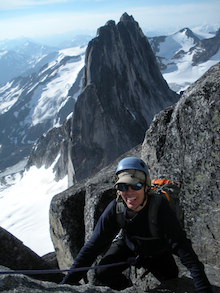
(30,106)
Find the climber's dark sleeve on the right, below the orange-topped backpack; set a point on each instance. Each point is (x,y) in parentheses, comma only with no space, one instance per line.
(180,245)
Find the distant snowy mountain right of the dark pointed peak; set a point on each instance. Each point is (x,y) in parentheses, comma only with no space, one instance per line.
(184,56)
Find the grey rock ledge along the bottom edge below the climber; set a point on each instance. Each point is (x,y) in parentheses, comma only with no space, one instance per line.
(24,284)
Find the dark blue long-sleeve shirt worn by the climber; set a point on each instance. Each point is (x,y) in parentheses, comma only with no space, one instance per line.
(171,235)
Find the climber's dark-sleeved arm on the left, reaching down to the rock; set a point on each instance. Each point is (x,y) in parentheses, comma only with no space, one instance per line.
(103,234)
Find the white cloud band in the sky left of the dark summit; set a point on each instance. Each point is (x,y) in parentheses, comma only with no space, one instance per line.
(51,23)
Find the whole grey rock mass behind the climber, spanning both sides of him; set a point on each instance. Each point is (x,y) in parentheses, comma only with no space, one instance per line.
(182,143)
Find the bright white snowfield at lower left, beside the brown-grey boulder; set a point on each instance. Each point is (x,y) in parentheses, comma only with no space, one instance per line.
(24,207)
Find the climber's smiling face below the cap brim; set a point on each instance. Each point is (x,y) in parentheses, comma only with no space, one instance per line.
(134,198)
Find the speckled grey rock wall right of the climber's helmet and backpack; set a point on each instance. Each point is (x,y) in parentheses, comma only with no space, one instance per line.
(183,144)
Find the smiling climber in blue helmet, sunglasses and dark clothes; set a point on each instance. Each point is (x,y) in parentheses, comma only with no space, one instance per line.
(133,185)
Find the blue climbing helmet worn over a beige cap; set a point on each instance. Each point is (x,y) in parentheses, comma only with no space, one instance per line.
(131,170)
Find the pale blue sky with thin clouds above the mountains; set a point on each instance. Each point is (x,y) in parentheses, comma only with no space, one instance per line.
(30,18)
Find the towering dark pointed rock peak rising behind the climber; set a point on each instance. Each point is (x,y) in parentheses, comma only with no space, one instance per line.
(122,90)
